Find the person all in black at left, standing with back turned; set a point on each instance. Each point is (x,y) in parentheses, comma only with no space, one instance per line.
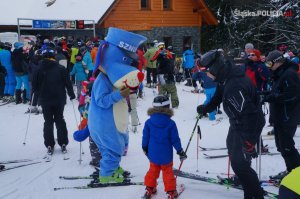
(50,83)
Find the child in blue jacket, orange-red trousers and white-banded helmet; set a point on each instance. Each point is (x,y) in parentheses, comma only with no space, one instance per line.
(160,135)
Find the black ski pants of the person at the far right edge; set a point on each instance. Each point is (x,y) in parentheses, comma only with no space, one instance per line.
(285,144)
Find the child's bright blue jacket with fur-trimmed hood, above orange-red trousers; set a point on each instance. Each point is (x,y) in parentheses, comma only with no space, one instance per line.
(160,135)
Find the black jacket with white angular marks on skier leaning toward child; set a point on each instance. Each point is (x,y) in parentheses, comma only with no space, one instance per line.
(240,102)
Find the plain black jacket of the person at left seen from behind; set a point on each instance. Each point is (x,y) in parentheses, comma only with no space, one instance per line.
(50,83)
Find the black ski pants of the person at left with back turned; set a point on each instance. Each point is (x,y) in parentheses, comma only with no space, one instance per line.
(54,114)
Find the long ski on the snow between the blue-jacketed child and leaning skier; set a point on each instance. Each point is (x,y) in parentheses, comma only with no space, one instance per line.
(217,181)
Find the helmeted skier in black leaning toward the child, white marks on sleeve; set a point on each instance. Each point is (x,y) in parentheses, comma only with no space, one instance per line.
(241,104)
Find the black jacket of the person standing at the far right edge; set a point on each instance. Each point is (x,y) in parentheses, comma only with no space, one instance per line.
(285,95)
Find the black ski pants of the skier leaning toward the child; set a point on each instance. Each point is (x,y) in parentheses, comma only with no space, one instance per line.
(242,167)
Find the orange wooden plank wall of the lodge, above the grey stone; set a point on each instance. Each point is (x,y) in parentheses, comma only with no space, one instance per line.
(127,14)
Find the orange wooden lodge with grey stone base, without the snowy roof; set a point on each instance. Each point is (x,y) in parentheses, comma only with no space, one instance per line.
(176,22)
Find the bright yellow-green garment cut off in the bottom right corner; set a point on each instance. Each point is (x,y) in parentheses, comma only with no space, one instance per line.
(292,180)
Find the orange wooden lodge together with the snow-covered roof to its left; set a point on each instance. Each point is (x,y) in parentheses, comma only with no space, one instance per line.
(176,22)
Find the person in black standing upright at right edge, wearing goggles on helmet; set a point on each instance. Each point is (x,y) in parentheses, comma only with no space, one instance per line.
(284,99)
